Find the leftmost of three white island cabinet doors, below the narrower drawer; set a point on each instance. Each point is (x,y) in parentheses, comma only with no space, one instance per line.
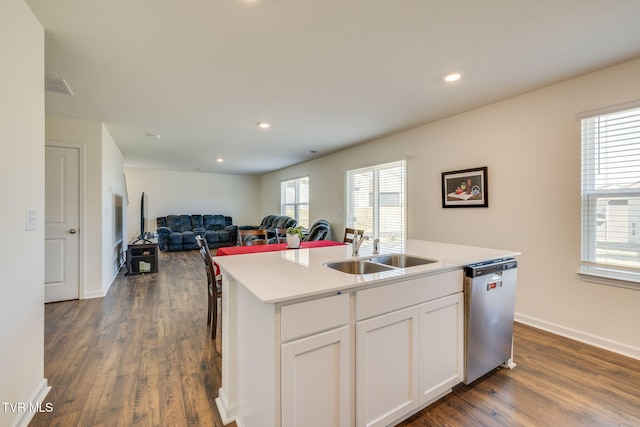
(316,378)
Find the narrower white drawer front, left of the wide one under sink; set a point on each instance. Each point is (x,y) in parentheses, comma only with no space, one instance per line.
(305,318)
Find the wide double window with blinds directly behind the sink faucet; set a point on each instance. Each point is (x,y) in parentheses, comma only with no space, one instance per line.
(376,202)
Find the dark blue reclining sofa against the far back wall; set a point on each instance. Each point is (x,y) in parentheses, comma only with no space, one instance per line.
(178,232)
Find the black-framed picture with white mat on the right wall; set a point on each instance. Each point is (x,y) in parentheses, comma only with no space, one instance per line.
(467,188)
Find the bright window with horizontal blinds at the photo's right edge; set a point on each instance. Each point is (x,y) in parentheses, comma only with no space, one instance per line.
(611,197)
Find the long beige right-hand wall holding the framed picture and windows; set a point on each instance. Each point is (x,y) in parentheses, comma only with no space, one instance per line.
(531,145)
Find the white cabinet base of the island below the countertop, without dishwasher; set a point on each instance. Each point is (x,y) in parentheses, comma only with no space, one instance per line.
(369,357)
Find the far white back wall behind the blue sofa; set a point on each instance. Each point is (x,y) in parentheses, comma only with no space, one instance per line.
(176,193)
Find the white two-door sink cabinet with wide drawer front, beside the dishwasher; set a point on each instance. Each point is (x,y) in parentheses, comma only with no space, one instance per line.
(411,351)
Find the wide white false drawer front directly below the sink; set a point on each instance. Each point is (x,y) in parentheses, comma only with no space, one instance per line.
(387,298)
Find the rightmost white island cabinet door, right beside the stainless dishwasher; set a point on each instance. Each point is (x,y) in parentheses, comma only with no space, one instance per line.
(441,346)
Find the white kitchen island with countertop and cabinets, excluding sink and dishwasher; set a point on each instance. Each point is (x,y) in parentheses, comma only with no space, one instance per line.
(307,345)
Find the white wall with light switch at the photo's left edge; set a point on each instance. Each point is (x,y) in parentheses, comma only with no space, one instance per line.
(22,172)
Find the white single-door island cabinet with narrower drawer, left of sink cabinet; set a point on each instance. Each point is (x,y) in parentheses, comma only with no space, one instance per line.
(315,370)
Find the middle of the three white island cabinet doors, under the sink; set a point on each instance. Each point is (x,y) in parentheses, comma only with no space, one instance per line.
(386,367)
